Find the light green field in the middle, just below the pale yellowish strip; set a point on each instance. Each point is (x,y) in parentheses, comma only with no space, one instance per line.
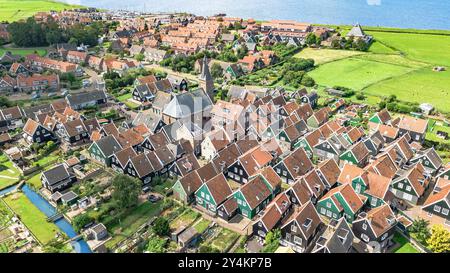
(356,73)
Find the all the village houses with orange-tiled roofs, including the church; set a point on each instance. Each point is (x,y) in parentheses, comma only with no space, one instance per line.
(266,155)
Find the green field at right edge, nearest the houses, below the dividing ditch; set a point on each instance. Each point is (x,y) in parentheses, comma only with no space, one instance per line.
(422,85)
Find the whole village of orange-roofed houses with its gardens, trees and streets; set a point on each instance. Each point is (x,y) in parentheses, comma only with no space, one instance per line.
(224,160)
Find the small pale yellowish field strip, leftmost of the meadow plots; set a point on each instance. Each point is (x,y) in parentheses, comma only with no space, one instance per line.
(321,56)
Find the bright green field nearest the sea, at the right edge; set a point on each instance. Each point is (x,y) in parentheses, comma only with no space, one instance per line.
(433,49)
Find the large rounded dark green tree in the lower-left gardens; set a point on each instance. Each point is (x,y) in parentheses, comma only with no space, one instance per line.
(126,190)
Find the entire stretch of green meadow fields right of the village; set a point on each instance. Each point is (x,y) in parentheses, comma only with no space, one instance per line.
(398,63)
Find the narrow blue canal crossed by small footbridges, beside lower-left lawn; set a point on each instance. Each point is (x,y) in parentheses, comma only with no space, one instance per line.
(43,205)
